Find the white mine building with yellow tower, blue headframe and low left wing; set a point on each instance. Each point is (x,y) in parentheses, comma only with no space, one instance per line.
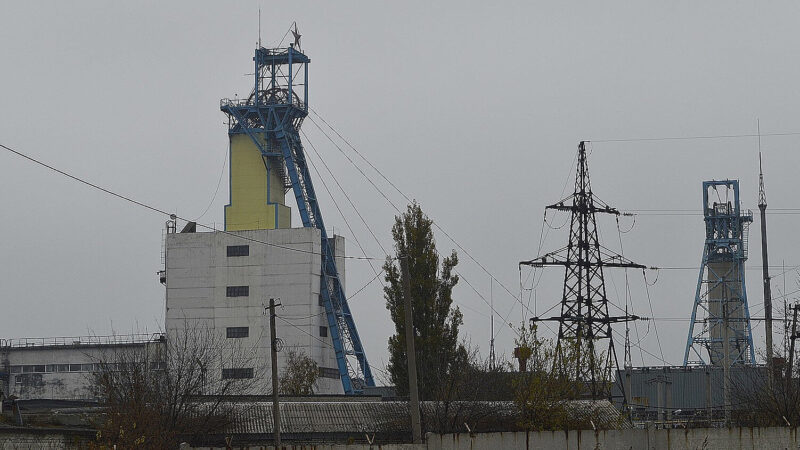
(222,281)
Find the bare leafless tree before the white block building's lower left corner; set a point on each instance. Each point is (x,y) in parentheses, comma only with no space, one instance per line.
(164,392)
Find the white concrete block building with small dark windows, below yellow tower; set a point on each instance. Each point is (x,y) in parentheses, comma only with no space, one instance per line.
(198,272)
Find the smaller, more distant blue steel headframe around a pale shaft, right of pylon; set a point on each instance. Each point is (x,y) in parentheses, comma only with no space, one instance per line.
(725,244)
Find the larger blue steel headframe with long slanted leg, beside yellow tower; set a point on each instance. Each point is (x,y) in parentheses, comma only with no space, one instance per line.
(271,117)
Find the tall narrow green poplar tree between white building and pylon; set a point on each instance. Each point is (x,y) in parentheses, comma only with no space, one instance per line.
(436,321)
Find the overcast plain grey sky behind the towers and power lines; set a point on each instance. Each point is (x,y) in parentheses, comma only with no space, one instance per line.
(473,108)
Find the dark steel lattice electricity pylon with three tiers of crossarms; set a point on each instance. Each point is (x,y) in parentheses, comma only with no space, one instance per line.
(585,346)
